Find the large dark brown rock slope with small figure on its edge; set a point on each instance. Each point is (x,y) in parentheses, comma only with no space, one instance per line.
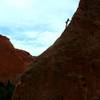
(70,69)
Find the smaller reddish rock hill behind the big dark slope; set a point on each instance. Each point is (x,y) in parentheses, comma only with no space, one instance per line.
(12,61)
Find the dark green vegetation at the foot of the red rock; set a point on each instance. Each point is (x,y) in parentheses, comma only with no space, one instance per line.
(6,91)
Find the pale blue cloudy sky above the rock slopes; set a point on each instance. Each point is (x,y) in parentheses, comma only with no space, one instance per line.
(34,25)
